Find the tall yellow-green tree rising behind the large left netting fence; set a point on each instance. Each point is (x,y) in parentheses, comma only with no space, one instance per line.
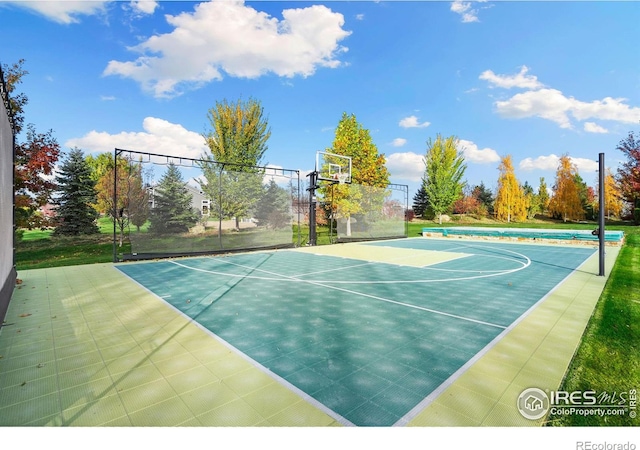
(237,142)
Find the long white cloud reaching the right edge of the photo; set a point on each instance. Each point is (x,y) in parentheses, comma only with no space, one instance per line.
(551,104)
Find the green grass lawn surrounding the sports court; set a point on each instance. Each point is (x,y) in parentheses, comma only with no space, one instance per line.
(607,361)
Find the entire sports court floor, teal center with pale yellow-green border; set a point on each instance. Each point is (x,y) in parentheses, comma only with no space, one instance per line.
(296,339)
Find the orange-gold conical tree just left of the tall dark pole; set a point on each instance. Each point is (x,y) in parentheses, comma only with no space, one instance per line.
(565,202)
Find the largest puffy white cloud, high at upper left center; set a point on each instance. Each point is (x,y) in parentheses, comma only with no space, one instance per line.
(229,37)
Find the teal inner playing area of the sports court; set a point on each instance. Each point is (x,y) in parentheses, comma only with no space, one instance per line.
(365,340)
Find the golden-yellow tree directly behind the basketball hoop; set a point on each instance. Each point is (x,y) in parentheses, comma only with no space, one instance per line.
(369,173)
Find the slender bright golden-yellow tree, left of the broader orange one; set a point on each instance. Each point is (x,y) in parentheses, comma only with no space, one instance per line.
(511,202)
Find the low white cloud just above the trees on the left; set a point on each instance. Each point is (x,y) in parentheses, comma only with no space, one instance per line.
(159,136)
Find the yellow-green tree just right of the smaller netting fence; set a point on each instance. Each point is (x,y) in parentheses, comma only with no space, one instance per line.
(444,170)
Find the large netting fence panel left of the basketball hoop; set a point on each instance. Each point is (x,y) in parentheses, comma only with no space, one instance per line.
(167,206)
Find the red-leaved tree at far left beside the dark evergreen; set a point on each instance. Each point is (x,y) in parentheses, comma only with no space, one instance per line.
(35,160)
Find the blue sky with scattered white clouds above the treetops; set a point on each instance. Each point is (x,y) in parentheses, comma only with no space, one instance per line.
(533,80)
